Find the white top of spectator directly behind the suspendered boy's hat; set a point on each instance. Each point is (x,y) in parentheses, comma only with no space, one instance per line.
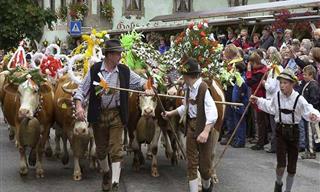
(272,85)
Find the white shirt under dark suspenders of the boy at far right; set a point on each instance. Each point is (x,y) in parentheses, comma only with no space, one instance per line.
(303,108)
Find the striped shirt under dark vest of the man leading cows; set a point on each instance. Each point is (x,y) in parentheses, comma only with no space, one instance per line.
(112,78)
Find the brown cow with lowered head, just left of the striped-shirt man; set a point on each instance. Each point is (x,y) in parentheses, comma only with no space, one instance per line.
(78,133)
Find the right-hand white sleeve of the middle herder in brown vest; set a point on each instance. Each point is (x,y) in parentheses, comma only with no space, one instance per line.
(210,109)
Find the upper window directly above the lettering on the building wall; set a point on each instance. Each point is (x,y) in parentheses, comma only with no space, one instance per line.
(133,7)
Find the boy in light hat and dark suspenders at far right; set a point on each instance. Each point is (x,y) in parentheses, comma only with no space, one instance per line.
(288,107)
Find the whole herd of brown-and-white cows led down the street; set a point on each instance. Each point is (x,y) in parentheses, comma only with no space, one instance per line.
(31,110)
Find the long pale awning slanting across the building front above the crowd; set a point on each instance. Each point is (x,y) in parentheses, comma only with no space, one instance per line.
(238,10)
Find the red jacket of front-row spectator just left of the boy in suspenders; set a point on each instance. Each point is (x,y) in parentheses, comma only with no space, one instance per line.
(253,80)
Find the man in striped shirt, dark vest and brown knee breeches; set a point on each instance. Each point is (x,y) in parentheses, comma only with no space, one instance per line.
(108,112)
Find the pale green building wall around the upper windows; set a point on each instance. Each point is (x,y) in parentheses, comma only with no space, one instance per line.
(120,22)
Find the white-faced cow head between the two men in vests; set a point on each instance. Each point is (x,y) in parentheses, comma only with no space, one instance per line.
(147,105)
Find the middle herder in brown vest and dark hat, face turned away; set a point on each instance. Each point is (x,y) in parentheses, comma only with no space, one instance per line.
(201,113)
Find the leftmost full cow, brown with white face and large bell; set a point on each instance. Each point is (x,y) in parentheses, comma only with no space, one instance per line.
(28,107)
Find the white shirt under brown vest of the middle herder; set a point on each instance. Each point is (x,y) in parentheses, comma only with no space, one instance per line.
(209,105)
